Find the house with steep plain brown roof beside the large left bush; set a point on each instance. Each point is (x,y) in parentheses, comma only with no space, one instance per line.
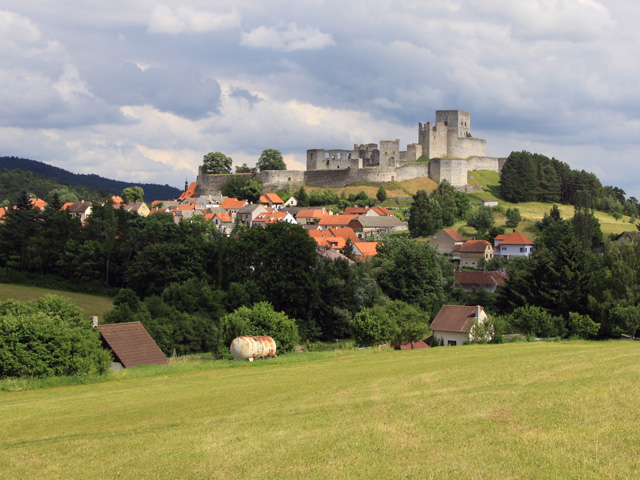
(131,345)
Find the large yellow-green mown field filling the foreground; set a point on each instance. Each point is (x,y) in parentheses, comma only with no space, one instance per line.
(527,410)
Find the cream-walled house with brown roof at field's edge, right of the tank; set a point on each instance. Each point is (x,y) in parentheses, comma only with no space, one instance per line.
(452,323)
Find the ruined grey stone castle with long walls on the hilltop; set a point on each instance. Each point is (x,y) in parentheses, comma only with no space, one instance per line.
(448,143)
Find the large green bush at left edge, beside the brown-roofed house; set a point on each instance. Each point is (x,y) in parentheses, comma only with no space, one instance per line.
(48,337)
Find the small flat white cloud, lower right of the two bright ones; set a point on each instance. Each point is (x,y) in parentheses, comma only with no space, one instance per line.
(287,40)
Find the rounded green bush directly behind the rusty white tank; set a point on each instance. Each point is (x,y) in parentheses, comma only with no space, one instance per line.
(260,319)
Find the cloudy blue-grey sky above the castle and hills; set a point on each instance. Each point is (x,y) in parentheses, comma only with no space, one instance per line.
(141,91)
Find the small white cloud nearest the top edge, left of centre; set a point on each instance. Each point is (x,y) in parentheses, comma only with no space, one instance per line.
(184,19)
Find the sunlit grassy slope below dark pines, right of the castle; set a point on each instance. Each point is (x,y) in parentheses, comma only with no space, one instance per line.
(534,211)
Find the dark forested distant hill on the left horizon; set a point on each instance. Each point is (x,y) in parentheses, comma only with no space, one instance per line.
(152,191)
